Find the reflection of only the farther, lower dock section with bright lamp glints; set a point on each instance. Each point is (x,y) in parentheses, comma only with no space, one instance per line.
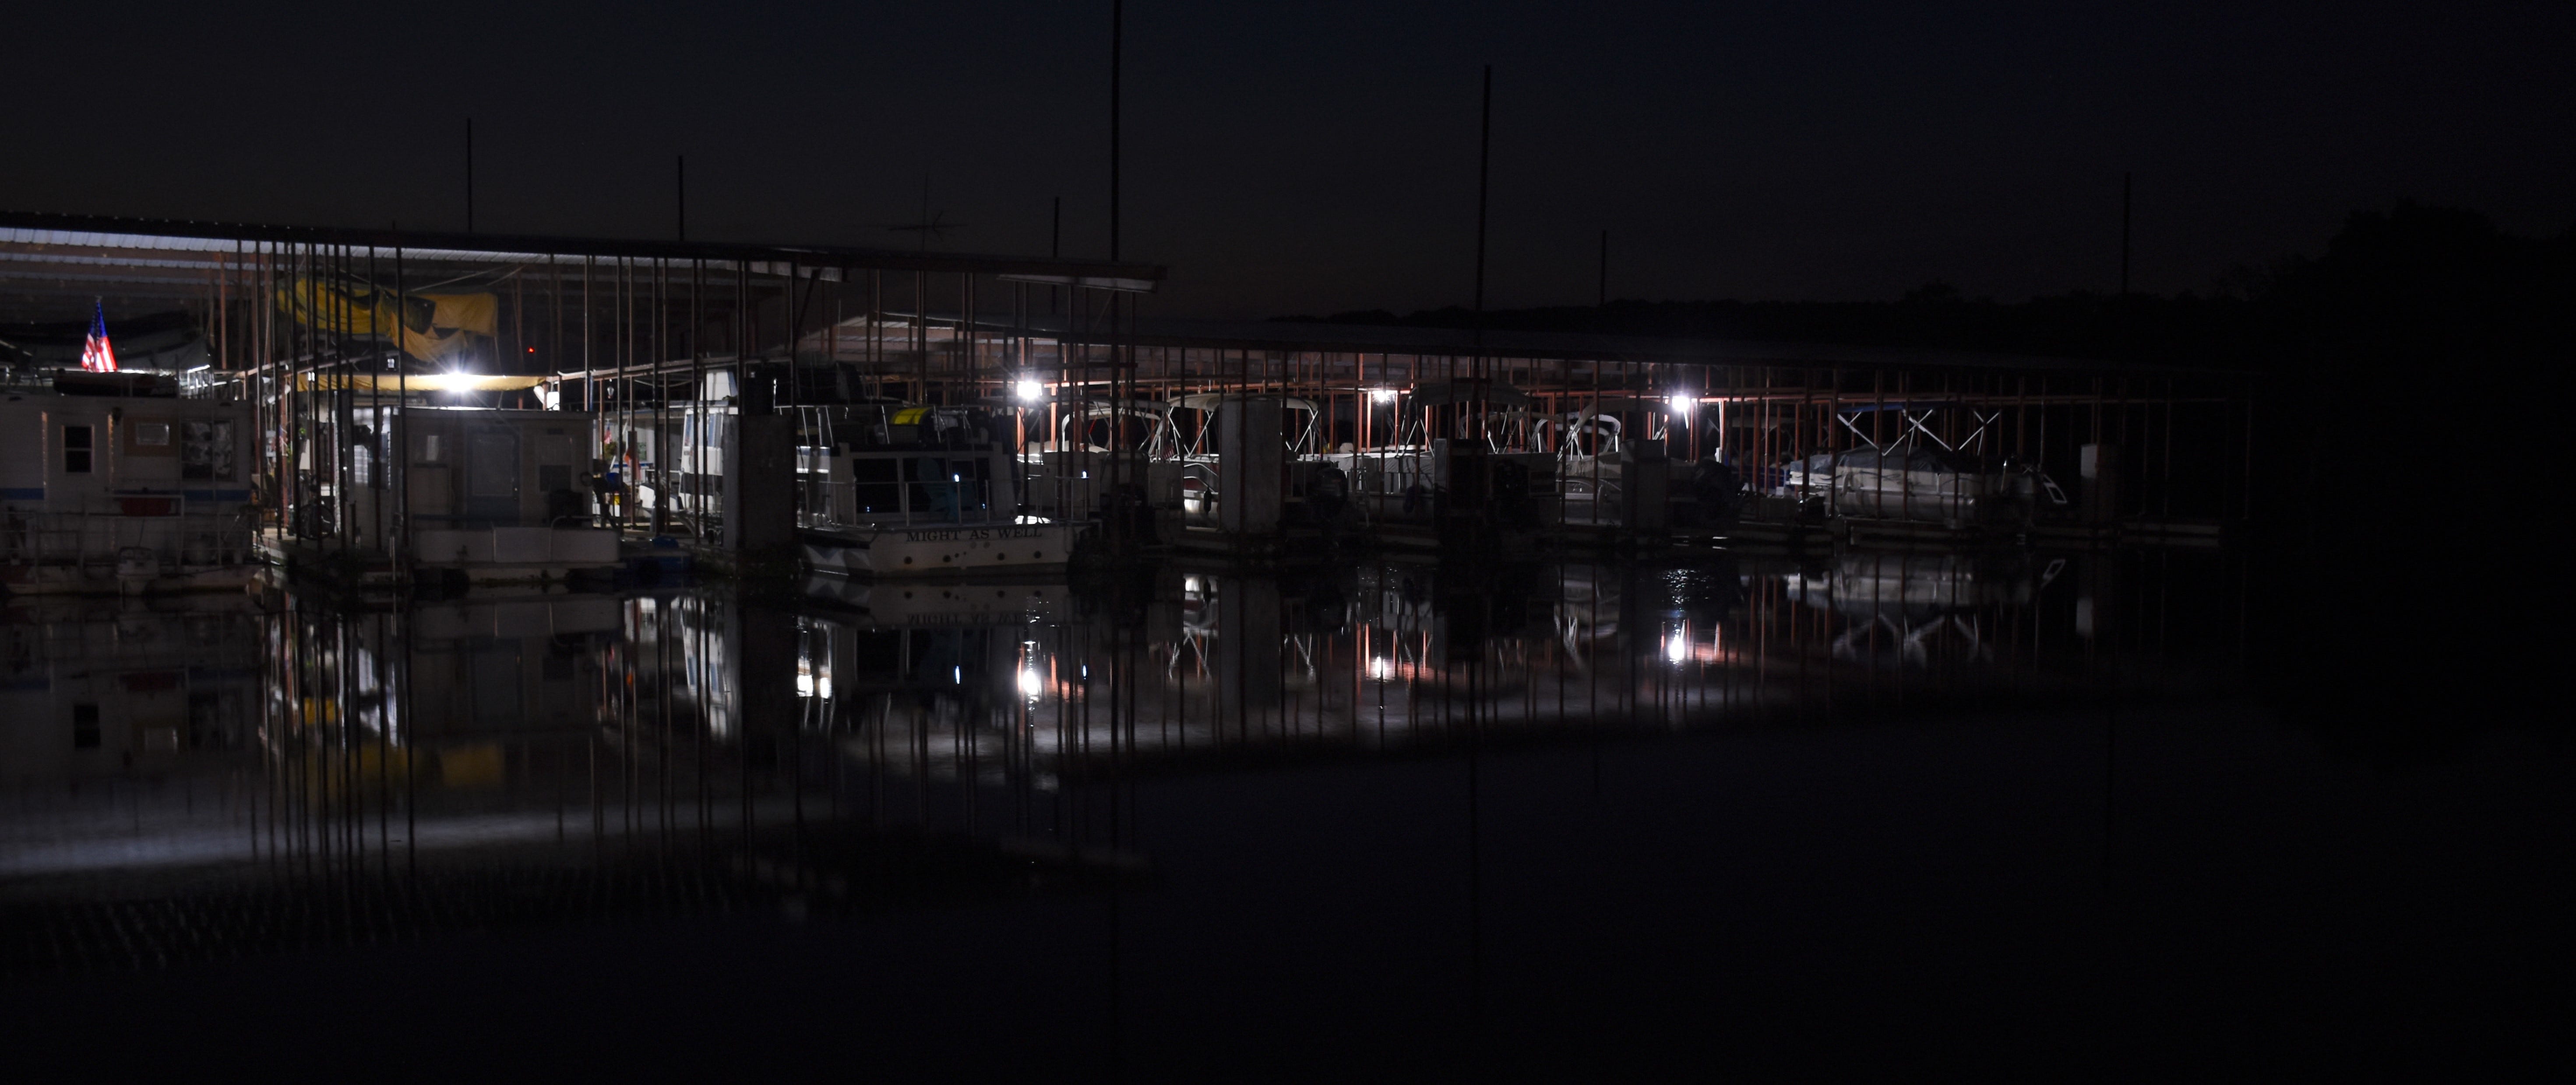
(1204,664)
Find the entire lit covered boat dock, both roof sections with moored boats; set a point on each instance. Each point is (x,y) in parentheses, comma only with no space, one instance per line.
(846,411)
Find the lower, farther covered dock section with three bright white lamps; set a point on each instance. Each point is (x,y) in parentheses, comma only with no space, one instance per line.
(1562,439)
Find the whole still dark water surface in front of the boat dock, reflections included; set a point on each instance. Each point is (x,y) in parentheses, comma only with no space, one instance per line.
(1385,821)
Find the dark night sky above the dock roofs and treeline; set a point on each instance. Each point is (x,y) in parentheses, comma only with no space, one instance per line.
(1320,156)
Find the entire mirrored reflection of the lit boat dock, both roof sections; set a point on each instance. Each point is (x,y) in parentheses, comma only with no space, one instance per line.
(225,777)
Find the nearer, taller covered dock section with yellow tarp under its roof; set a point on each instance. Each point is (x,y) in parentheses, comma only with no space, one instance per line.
(501,408)
